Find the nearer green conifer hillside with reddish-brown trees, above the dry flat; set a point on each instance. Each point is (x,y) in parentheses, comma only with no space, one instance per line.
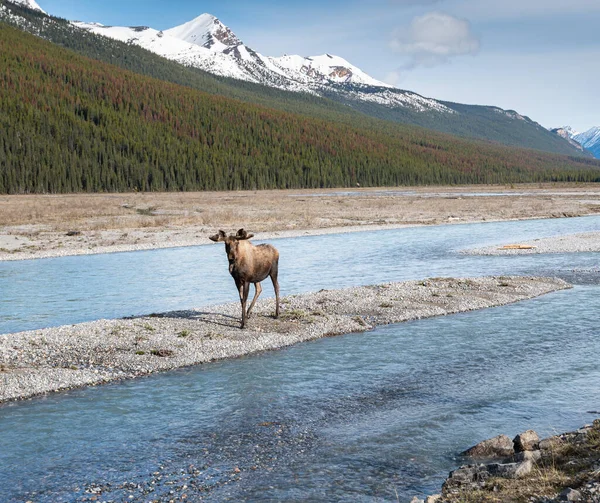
(69,123)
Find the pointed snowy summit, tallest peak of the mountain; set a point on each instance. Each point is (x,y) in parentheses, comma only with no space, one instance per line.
(206,31)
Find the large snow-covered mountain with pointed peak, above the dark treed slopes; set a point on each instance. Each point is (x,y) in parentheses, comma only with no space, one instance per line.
(208,44)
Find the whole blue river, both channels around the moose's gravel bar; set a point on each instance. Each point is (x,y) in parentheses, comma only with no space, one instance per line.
(379,416)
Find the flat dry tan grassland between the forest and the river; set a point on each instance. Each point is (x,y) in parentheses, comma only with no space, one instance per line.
(37,225)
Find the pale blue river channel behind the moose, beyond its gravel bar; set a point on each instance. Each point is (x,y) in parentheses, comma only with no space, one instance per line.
(59,291)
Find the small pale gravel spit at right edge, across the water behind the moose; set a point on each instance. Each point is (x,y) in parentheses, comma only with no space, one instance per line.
(571,243)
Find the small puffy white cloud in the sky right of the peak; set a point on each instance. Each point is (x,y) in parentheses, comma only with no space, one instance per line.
(434,38)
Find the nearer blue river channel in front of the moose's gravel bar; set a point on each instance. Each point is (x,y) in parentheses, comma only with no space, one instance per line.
(351,418)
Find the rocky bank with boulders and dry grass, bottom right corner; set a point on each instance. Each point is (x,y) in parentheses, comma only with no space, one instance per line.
(560,468)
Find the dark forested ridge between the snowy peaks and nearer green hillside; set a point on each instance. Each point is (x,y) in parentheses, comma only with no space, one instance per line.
(471,121)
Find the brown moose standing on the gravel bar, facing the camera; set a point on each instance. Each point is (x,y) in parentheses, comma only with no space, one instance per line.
(250,264)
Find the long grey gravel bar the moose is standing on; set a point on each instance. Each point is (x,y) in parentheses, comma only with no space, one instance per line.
(41,361)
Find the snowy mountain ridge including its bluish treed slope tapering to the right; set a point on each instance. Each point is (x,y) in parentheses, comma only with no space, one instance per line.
(326,76)
